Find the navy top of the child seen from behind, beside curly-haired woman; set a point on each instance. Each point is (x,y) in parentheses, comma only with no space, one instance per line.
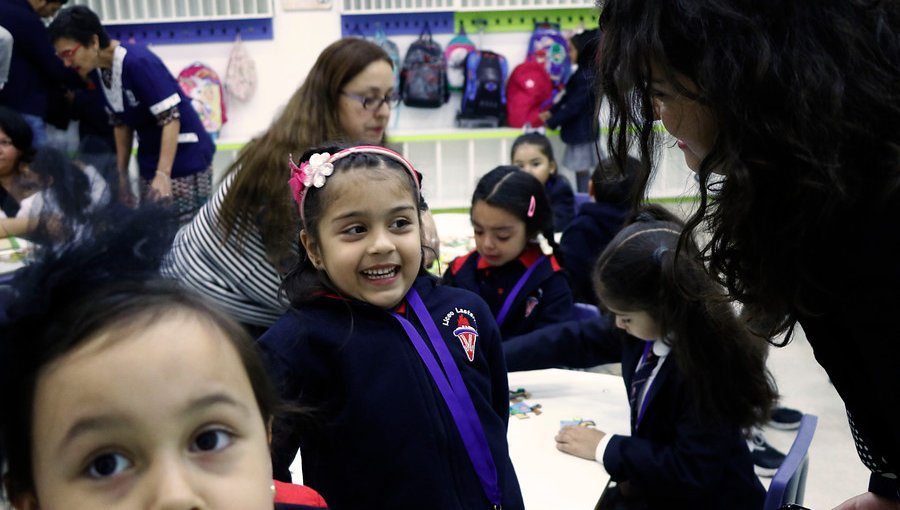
(583,241)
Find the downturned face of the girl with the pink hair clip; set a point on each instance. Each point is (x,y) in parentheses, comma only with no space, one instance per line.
(499,236)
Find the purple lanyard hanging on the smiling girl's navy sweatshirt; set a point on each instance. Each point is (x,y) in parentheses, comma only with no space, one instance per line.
(455,394)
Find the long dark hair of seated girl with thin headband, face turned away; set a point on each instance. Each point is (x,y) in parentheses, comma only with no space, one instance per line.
(723,365)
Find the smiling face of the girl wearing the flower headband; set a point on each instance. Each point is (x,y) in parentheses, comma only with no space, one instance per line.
(369,242)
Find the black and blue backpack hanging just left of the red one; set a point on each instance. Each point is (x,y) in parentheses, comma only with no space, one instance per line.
(484,94)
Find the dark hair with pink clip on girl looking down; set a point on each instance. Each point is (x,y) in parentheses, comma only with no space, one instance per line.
(511,189)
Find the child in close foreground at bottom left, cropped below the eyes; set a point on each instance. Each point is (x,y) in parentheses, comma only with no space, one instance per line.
(121,390)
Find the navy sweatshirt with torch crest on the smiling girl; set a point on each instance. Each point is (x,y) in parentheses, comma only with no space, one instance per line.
(383,436)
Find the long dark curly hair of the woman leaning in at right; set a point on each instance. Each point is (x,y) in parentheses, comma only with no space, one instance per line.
(802,93)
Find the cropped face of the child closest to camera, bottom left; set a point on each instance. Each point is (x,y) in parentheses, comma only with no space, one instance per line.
(164,417)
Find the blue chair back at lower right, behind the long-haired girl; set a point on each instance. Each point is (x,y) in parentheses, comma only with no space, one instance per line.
(789,482)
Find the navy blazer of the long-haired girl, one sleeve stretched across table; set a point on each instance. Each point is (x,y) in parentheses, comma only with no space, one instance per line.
(674,459)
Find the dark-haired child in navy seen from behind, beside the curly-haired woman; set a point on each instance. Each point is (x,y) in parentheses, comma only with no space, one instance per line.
(595,224)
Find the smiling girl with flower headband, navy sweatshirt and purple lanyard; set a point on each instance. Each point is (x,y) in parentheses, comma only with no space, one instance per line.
(408,377)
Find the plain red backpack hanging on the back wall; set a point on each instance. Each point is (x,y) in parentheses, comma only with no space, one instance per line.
(528,93)
